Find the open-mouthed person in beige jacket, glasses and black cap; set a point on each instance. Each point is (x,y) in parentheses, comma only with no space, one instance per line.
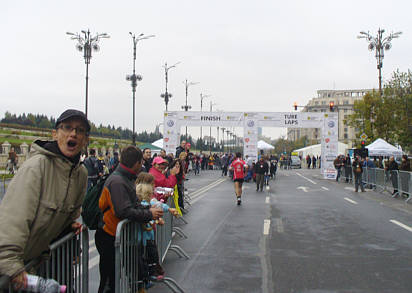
(44,198)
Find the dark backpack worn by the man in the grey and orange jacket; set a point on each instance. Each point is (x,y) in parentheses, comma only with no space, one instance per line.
(91,213)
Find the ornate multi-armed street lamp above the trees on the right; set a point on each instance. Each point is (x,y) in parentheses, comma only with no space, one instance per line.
(379,44)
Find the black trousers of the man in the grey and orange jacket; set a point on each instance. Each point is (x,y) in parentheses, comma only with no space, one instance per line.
(105,247)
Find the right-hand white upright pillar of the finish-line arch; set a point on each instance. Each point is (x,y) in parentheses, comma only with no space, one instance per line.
(329,145)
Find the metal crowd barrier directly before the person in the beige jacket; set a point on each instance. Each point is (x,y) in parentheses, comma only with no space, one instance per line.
(67,263)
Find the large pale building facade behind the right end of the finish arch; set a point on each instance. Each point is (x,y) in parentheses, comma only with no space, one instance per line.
(343,104)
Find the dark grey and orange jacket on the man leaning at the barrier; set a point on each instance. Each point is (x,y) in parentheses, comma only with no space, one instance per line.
(119,195)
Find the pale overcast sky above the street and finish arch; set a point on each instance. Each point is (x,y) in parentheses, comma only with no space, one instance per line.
(248,55)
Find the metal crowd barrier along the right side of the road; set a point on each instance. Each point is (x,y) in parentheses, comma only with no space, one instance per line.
(399,183)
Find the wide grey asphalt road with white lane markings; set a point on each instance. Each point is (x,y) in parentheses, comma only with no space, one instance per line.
(304,234)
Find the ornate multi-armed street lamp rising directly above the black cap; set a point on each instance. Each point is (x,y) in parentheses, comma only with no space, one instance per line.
(87,44)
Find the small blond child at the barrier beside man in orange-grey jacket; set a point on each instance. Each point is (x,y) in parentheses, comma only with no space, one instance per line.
(145,191)
